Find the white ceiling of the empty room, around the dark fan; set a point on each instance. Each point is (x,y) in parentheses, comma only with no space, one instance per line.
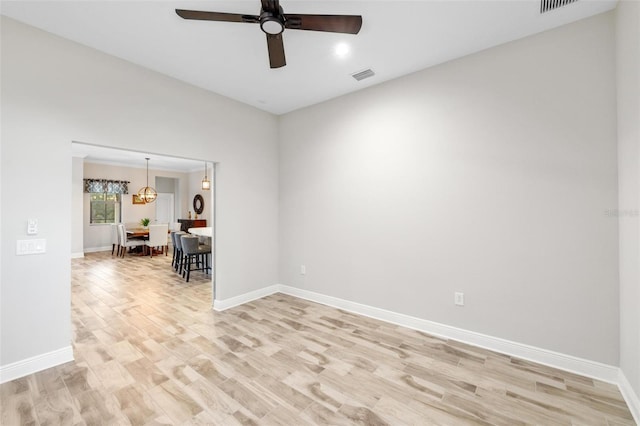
(397,38)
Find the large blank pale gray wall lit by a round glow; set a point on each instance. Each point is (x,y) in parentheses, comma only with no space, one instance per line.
(488,175)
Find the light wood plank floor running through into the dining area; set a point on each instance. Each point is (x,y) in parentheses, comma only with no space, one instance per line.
(150,350)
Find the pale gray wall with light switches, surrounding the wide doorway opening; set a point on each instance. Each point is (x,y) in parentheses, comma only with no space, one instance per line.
(55,91)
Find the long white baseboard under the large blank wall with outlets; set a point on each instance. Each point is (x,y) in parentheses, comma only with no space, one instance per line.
(585,367)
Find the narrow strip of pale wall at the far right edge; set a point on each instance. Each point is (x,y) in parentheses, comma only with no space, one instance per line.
(628,73)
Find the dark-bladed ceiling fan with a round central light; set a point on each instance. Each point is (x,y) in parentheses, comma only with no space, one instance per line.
(273,22)
